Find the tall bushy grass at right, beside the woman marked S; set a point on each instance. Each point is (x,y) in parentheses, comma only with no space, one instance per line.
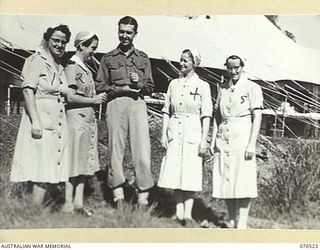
(295,181)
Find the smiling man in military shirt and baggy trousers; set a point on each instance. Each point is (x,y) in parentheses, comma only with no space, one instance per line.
(125,74)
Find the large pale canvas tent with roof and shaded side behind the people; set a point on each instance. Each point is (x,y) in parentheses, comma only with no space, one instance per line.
(272,58)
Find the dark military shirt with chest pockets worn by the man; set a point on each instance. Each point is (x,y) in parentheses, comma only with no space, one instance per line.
(116,67)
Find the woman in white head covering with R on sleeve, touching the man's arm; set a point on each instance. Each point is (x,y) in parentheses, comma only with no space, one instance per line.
(82,125)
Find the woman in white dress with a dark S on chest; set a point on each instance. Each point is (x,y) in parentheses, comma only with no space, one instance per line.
(236,127)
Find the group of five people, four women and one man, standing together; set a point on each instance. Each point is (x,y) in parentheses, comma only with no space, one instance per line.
(57,138)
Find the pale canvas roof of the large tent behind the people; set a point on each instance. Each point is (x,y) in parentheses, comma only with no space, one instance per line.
(270,54)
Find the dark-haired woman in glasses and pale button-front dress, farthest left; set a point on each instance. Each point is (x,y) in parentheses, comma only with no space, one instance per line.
(41,153)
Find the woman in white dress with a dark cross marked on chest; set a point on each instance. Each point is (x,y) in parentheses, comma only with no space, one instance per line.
(186,119)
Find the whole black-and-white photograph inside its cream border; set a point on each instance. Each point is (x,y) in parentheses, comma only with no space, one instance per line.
(160,121)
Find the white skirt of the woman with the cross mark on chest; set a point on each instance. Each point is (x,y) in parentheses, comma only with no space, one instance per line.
(181,167)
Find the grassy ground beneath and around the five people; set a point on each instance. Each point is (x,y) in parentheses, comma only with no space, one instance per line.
(16,210)
